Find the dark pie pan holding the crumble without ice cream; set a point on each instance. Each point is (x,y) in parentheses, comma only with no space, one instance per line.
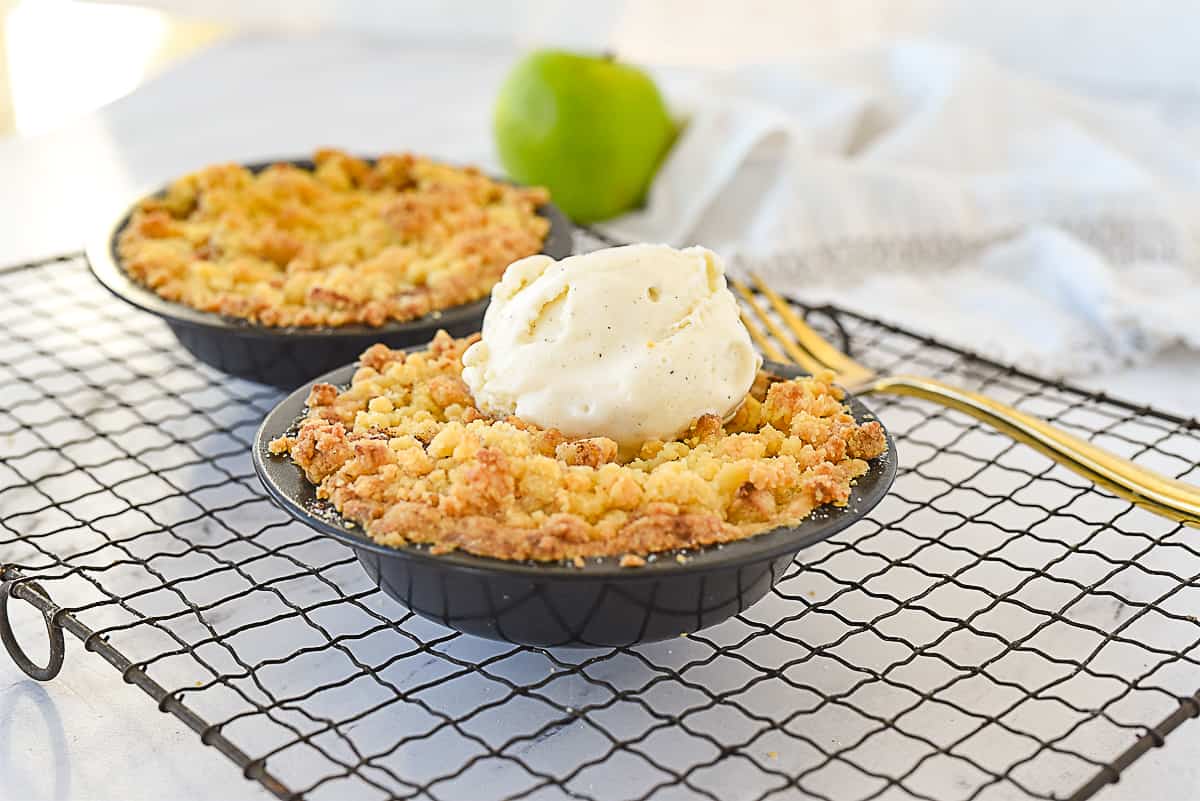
(287,357)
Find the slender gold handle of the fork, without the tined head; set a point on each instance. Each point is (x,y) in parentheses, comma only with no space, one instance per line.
(1163,496)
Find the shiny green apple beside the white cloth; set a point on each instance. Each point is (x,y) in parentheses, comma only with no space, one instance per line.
(591,130)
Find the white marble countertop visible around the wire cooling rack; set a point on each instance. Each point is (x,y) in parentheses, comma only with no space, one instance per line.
(86,736)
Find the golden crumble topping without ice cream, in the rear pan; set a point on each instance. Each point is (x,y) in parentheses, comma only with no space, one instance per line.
(346,243)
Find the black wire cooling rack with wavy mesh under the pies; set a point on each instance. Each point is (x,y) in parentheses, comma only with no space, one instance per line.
(995,629)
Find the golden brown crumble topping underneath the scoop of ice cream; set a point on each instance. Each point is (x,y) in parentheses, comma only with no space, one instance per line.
(405,454)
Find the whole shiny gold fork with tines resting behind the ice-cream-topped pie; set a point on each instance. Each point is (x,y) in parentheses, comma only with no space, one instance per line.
(805,347)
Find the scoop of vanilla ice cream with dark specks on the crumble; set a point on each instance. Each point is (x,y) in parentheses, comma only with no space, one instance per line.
(632,344)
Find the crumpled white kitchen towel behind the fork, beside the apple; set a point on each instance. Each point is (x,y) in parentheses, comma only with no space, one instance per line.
(926,185)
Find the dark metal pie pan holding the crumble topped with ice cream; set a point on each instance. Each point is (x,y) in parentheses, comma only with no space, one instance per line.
(554,604)
